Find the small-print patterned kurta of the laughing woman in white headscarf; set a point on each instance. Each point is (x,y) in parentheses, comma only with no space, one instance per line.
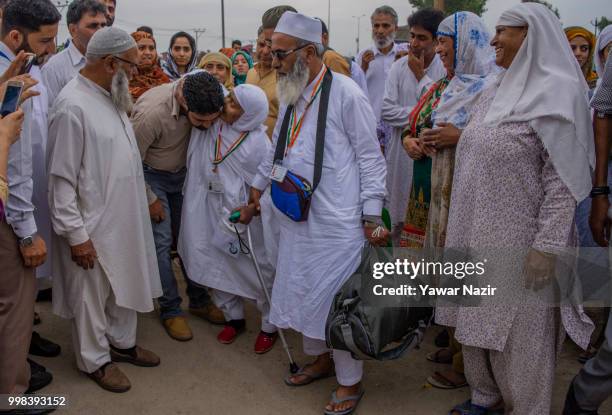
(506,195)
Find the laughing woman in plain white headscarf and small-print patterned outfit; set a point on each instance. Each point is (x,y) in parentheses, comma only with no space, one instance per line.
(523,162)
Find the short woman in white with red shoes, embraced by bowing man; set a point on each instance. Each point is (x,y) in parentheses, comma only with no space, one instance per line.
(221,163)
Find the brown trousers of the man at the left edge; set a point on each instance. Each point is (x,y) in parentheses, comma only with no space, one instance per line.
(17,295)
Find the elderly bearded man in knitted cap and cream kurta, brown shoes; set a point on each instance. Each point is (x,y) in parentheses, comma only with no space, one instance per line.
(104,255)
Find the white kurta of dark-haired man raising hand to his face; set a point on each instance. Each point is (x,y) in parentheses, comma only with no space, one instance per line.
(402,92)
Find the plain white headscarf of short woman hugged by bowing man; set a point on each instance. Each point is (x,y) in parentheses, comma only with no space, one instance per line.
(253,101)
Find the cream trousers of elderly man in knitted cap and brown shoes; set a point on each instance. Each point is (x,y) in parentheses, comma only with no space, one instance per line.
(98,322)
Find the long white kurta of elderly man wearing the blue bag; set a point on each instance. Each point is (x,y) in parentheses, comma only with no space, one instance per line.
(317,256)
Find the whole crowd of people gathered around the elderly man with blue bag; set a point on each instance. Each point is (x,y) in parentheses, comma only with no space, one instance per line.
(121,162)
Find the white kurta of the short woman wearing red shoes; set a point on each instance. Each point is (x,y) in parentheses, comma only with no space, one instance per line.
(208,245)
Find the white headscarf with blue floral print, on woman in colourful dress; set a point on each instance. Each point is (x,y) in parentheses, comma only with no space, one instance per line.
(474,60)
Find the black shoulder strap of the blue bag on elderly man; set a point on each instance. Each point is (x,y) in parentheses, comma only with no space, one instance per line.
(281,144)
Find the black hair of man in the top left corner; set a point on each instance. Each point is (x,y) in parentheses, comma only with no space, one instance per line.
(28,15)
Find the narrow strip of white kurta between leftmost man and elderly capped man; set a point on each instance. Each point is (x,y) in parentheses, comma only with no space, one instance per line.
(39,170)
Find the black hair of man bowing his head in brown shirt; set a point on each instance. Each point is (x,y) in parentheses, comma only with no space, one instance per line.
(203,93)
